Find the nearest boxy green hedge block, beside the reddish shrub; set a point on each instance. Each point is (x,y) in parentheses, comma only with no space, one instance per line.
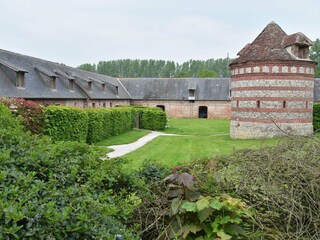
(66,123)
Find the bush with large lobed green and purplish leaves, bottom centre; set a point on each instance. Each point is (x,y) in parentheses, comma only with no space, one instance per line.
(179,209)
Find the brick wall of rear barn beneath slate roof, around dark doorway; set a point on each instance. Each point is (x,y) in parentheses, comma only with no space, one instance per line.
(189,109)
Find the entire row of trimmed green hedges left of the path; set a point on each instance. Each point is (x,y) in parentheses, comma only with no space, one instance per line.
(95,124)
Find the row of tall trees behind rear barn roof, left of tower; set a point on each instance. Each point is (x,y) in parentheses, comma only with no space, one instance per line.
(160,68)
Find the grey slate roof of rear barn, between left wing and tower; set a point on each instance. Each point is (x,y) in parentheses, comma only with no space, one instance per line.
(177,88)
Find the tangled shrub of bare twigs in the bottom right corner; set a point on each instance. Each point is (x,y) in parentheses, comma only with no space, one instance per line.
(283,184)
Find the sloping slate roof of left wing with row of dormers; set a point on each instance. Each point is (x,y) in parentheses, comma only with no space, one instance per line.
(37,80)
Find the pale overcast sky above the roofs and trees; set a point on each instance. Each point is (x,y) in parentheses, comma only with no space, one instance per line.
(75,32)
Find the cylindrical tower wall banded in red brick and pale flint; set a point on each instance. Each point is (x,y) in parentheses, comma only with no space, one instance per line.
(266,94)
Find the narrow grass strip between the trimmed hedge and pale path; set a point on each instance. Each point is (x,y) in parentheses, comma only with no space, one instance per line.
(124,138)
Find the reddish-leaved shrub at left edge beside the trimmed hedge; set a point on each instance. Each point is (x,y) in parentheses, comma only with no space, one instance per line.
(31,112)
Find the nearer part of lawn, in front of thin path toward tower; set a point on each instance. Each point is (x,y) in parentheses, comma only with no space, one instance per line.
(172,151)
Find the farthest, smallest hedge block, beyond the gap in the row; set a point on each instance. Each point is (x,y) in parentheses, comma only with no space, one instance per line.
(151,118)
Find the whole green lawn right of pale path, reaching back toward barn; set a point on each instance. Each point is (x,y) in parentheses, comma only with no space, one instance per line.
(199,142)
